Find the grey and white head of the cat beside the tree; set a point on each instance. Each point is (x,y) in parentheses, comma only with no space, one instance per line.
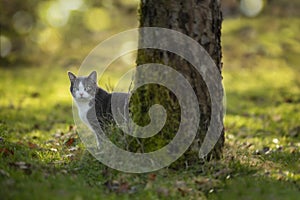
(83,88)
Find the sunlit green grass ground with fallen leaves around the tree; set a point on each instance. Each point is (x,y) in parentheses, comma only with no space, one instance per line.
(42,156)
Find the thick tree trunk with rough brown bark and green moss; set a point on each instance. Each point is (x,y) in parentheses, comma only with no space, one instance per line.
(200,20)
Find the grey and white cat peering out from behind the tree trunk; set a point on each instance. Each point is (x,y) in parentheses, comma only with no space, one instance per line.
(93,102)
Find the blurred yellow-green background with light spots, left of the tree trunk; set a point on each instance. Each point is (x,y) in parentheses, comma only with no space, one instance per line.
(62,30)
